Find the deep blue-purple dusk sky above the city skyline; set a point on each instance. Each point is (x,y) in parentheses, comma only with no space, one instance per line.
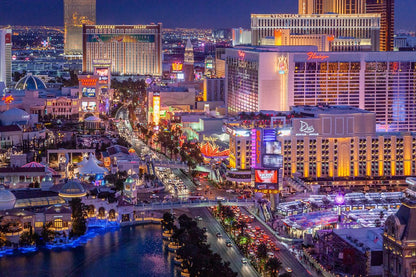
(172,13)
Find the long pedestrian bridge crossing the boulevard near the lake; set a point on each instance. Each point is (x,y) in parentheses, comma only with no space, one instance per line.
(192,204)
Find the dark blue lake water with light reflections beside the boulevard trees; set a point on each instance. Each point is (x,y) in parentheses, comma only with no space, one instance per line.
(127,251)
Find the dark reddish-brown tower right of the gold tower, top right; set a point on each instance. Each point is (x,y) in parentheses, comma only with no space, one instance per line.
(386,9)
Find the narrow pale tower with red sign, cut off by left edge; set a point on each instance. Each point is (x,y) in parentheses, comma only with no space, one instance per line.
(6,56)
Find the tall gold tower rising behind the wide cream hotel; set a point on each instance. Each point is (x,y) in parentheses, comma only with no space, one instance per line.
(77,13)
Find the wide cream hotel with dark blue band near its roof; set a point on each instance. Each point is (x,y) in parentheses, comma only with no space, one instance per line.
(131,49)
